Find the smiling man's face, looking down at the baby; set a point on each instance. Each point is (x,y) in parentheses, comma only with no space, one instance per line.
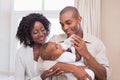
(69,22)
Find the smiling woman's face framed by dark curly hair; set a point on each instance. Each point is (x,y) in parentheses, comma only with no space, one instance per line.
(38,33)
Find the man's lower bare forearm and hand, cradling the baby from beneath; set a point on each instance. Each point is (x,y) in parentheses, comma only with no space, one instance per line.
(78,71)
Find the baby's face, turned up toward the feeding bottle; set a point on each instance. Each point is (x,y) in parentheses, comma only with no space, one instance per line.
(55,50)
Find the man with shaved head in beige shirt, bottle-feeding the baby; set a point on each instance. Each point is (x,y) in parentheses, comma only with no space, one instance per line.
(89,47)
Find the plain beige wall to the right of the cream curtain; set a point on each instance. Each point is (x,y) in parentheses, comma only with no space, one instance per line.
(111,34)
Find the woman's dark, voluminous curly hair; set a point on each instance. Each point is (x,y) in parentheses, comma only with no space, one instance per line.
(26,25)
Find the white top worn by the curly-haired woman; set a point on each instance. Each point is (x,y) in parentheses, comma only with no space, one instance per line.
(25,66)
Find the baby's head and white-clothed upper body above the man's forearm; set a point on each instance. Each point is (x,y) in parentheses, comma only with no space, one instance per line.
(53,51)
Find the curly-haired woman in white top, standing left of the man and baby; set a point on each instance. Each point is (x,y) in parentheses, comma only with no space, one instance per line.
(32,32)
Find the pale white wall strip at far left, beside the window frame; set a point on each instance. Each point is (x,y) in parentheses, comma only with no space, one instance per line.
(4,34)
